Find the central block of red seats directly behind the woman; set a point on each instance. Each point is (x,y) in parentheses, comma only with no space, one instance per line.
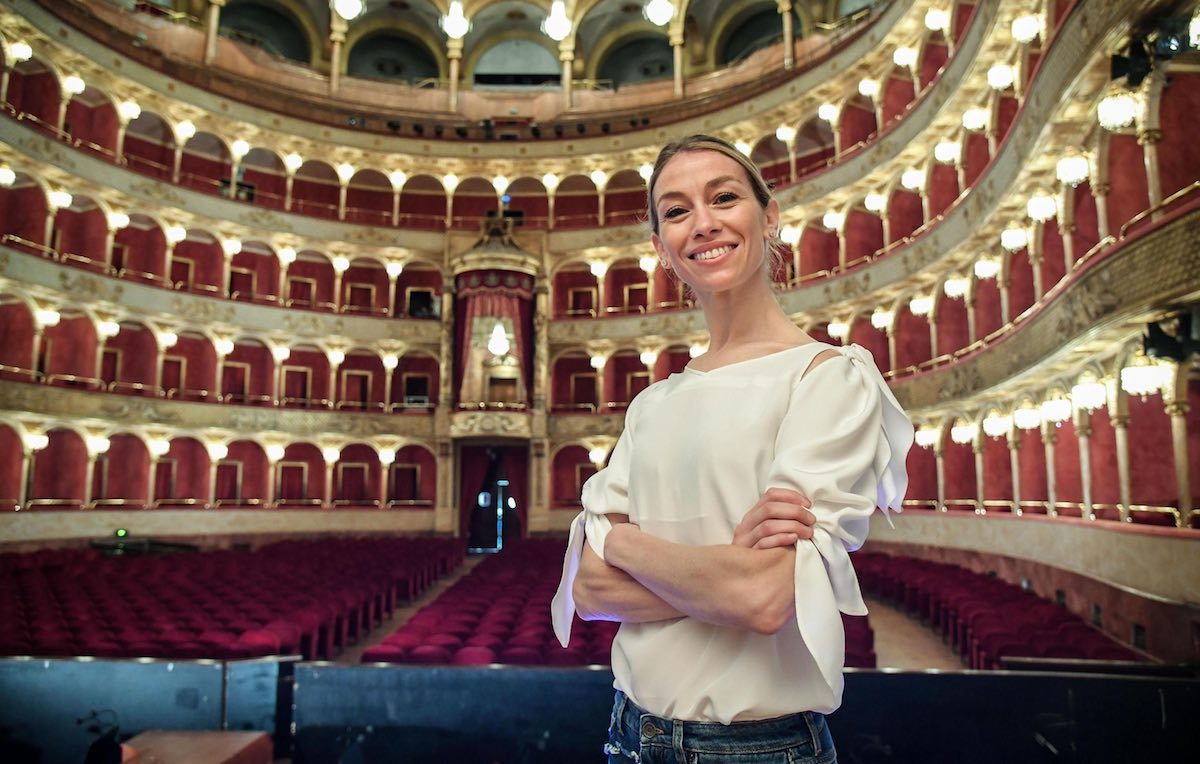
(500,613)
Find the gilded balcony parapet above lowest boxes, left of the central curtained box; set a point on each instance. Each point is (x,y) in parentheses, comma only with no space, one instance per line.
(129,412)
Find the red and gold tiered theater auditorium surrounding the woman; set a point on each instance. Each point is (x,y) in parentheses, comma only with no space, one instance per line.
(317,315)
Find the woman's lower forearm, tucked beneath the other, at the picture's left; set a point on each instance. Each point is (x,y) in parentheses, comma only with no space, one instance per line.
(604,593)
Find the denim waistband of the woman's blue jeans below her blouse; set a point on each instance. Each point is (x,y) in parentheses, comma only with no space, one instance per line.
(761,736)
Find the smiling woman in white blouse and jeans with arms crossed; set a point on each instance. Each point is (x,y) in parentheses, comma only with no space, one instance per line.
(731,643)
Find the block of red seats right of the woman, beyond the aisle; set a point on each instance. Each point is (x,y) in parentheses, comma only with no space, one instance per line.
(983,618)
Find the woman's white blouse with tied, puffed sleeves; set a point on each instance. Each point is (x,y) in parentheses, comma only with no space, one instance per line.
(698,452)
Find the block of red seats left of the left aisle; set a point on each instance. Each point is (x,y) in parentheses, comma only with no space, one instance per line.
(308,598)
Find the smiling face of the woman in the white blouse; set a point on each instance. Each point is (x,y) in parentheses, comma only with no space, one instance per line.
(712,232)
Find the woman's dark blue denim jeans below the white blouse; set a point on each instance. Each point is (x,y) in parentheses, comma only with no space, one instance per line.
(641,738)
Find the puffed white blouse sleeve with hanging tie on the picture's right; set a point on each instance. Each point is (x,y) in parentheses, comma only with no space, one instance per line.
(843,444)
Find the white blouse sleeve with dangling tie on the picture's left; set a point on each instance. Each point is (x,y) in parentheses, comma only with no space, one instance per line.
(604,494)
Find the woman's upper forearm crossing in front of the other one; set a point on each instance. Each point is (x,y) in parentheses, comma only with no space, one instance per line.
(723,585)
